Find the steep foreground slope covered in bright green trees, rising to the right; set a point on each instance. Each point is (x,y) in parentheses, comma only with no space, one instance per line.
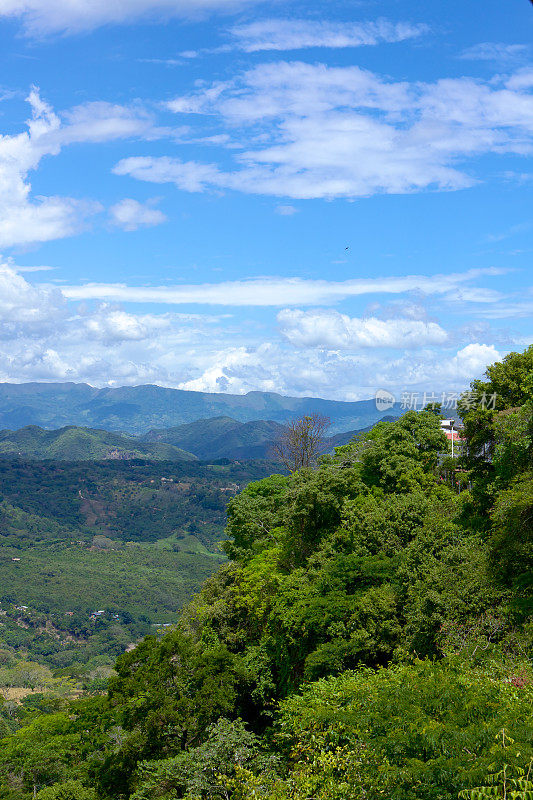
(369,638)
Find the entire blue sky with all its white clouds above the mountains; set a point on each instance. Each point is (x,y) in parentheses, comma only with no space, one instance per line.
(304,197)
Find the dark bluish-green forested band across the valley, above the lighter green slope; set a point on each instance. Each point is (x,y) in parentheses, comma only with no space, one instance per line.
(140,501)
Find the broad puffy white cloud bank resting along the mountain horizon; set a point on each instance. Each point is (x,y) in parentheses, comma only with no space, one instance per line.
(44,337)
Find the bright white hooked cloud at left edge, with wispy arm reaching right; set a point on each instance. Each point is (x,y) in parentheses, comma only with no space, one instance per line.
(26,219)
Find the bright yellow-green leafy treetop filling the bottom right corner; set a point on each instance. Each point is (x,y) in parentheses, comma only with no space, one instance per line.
(422,730)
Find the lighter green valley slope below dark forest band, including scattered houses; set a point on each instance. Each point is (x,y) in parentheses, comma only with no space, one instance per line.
(53,577)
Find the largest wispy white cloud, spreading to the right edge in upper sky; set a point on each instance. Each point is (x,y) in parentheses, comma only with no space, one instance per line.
(329,132)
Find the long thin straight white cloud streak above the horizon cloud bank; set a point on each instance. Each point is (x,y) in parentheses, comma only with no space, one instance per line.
(276,291)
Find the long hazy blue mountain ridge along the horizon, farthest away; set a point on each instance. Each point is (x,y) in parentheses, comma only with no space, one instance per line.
(138,409)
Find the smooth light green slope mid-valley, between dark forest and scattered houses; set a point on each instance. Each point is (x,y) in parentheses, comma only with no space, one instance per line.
(66,576)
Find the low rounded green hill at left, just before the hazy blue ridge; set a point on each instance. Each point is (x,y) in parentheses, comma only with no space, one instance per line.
(84,444)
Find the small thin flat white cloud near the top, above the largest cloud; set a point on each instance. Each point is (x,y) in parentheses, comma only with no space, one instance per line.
(296,34)
